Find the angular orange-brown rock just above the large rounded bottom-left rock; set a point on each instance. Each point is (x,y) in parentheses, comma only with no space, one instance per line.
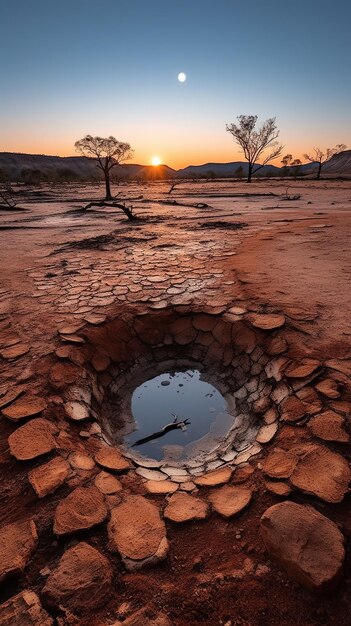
(83,508)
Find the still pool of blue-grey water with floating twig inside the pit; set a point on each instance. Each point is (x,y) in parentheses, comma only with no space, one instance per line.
(174,410)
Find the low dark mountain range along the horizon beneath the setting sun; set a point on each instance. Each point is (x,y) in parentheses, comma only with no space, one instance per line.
(32,167)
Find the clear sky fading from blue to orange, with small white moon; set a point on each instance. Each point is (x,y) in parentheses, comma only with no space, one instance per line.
(74,67)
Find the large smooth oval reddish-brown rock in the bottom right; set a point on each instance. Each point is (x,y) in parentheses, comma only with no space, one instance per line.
(307,544)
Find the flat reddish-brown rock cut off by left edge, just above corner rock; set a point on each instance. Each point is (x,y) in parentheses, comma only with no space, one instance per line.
(18,541)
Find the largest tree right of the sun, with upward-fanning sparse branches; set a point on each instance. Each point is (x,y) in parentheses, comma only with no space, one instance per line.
(254,142)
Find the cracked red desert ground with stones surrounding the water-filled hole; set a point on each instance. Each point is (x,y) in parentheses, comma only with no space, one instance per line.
(276,272)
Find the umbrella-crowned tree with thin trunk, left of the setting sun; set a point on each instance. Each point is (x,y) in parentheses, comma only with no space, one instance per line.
(108,152)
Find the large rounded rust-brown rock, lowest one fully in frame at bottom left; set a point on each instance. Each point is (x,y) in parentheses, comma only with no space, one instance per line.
(81,581)
